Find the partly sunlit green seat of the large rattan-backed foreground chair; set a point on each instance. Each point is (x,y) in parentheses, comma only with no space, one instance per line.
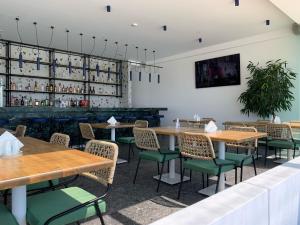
(43,206)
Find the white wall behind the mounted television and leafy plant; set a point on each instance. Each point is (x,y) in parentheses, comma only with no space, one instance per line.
(177,89)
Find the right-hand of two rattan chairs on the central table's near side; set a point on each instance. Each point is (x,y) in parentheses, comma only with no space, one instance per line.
(199,155)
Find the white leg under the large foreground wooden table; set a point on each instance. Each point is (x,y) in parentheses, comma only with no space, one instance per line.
(19,204)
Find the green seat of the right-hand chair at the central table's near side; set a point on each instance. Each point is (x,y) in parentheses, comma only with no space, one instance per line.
(208,166)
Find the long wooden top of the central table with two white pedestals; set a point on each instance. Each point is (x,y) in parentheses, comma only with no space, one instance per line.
(220,135)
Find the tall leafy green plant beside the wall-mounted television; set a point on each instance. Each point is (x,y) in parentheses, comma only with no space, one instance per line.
(268,89)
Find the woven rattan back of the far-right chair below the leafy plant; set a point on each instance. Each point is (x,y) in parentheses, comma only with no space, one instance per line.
(281,131)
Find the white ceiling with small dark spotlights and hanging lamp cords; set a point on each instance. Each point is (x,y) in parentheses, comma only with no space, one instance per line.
(215,21)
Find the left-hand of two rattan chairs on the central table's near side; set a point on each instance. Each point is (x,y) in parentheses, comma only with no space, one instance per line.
(146,141)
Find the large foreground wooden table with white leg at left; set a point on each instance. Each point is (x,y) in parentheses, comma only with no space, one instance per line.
(42,161)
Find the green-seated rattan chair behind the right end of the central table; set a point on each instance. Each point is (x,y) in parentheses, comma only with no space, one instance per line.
(240,159)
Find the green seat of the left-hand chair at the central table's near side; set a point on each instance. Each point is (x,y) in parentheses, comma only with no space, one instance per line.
(157,156)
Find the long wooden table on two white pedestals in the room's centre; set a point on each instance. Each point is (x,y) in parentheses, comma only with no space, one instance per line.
(221,137)
